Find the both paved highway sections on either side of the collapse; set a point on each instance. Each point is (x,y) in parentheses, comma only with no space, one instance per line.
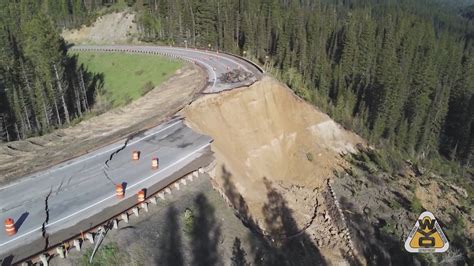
(67,196)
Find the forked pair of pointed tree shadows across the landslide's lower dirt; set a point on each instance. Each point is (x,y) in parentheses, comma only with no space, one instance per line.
(282,243)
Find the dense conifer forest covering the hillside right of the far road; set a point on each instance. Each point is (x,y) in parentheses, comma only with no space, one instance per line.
(397,72)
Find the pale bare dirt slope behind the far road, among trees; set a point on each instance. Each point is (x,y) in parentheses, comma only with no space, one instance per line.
(112,28)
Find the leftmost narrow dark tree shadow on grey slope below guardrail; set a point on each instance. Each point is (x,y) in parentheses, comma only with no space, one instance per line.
(170,244)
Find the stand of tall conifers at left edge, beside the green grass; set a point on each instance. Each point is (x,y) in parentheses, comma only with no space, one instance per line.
(41,87)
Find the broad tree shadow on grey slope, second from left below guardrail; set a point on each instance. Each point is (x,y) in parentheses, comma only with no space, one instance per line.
(205,234)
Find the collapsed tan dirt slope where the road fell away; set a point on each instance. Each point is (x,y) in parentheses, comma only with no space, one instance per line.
(267,143)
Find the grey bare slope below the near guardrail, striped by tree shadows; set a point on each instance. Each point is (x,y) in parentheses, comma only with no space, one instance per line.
(164,237)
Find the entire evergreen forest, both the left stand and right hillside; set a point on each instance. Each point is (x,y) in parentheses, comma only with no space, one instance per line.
(398,72)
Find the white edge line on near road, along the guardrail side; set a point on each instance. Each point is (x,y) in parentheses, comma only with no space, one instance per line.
(107,198)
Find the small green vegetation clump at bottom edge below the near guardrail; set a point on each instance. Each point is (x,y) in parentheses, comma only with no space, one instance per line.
(106,255)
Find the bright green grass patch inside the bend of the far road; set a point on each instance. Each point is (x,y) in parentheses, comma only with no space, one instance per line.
(127,75)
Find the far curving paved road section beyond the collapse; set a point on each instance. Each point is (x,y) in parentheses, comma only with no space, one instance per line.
(216,64)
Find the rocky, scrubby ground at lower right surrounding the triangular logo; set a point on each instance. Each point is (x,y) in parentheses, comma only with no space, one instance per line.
(381,209)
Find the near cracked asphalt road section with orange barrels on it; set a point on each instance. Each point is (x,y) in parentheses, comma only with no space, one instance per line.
(84,186)
